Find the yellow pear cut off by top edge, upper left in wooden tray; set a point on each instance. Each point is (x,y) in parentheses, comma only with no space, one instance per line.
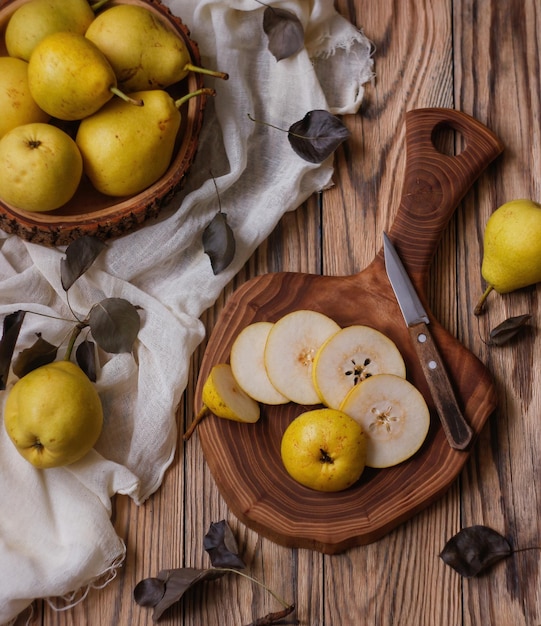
(36,19)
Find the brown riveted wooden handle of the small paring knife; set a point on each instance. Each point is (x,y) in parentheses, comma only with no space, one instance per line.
(456,428)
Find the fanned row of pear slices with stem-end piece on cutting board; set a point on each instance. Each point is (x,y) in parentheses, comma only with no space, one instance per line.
(307,358)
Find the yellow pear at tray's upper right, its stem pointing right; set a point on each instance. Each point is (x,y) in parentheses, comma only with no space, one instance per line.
(143,50)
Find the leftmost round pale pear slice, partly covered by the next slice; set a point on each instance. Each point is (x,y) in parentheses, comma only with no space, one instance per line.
(248,364)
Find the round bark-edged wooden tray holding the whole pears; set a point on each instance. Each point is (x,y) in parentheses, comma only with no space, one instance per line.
(90,212)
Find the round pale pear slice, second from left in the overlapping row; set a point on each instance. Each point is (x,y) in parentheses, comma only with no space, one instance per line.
(290,350)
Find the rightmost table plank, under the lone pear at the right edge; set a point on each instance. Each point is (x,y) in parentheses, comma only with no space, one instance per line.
(497,71)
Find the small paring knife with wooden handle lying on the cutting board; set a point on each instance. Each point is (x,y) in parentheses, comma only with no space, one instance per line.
(456,428)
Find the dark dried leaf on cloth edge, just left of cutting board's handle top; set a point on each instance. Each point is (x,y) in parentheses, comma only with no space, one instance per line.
(317,135)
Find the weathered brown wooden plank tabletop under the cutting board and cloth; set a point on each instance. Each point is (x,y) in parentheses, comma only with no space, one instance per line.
(482,57)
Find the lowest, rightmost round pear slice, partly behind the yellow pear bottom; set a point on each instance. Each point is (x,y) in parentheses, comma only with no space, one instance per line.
(394,416)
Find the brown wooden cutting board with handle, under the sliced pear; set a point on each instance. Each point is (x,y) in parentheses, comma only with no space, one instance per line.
(245,458)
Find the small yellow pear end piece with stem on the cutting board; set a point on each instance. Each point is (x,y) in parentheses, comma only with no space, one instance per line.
(222,396)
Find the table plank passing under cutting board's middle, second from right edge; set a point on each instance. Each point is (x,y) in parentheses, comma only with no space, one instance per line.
(393,581)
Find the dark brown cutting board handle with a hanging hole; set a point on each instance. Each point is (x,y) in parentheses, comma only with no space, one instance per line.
(435,183)
